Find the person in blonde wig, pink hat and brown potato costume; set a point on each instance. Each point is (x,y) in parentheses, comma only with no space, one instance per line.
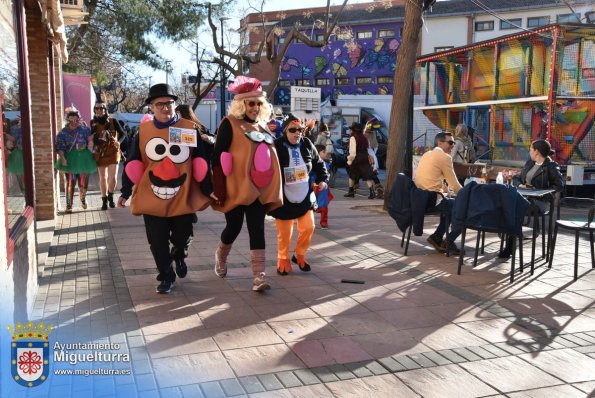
(246,176)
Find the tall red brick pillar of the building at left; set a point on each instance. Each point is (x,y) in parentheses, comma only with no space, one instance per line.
(37,43)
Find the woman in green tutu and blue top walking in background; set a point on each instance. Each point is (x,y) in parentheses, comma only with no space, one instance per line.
(75,158)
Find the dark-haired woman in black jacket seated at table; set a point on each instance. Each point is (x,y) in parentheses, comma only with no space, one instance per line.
(540,172)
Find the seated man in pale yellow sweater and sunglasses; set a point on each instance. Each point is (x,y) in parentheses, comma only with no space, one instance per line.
(434,167)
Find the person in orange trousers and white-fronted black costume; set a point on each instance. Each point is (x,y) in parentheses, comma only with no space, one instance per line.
(298,158)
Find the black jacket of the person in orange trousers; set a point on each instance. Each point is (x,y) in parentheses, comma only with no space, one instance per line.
(315,166)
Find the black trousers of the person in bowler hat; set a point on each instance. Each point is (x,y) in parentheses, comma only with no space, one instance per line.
(160,232)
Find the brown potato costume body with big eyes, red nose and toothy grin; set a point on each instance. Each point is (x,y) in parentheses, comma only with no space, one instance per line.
(165,184)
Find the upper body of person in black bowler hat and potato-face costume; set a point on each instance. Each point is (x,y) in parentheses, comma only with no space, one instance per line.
(167,176)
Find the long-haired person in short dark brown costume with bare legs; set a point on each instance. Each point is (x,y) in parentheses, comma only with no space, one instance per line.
(107,135)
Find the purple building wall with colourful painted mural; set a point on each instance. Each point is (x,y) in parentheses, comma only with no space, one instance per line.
(362,66)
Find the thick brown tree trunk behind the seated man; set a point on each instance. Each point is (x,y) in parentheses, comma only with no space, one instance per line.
(398,143)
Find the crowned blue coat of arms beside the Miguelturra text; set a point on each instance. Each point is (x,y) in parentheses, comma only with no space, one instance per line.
(30,353)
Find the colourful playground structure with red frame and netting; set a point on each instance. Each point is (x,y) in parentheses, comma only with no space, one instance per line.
(511,91)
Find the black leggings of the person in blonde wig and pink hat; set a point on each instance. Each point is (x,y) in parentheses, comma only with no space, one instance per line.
(255,214)
